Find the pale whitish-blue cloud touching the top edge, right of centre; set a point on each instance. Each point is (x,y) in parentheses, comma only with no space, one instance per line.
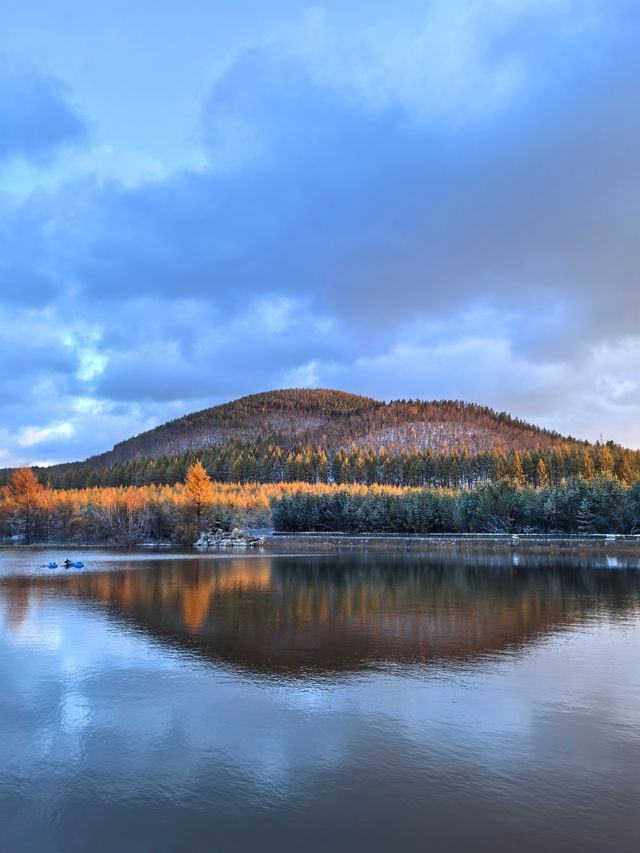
(454,61)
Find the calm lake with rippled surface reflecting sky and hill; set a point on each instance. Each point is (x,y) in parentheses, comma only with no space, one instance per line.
(166,701)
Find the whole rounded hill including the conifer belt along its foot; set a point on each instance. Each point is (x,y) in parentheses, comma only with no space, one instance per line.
(321,436)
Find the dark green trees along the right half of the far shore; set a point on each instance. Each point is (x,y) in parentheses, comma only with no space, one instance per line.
(576,506)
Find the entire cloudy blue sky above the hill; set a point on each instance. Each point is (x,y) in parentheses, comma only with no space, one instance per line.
(201,200)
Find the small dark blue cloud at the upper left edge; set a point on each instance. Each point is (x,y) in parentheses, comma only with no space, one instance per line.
(36,116)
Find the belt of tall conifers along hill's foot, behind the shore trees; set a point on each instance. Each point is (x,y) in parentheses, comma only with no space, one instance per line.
(241,462)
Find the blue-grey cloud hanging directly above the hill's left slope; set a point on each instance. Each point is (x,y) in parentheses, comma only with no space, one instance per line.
(215,356)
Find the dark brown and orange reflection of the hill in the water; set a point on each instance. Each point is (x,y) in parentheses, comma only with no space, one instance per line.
(347,612)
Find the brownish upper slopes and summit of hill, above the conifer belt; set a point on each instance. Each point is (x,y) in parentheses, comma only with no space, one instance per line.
(334,419)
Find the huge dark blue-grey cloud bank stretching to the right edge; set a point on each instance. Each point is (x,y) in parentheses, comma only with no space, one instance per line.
(340,202)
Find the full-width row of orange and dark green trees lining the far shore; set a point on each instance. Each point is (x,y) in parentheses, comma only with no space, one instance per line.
(31,512)
